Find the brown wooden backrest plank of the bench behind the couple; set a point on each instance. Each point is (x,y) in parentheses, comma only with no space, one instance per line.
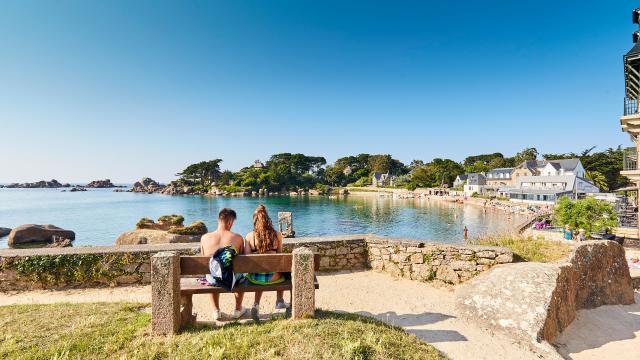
(255,263)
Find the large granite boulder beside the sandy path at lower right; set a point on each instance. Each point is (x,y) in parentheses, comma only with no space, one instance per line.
(534,302)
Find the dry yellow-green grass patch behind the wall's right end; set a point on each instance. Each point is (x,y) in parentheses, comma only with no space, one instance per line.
(527,248)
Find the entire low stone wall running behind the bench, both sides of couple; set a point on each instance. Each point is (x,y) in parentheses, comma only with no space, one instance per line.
(51,268)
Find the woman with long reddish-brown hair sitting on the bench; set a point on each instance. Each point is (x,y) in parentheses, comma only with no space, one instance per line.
(264,239)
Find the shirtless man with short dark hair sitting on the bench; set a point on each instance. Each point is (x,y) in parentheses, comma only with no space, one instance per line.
(211,242)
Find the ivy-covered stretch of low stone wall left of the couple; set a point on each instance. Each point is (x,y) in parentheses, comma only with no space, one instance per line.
(50,268)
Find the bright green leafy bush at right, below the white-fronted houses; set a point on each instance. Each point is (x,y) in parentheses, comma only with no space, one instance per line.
(588,213)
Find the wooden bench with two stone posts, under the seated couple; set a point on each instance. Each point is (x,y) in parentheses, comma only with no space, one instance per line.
(172,304)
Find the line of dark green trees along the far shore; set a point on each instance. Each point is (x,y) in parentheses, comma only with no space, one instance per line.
(288,172)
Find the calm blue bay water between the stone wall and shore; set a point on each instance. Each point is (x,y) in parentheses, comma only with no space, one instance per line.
(99,216)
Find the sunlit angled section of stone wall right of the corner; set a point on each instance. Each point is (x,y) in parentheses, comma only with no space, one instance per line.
(429,261)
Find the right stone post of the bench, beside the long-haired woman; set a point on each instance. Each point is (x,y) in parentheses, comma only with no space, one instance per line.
(302,279)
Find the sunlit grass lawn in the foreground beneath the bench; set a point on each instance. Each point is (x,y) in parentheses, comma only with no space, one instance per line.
(122,331)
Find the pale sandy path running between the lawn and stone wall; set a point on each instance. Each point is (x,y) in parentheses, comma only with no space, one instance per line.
(421,309)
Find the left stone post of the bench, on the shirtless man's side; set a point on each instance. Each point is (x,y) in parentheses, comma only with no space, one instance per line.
(165,293)
